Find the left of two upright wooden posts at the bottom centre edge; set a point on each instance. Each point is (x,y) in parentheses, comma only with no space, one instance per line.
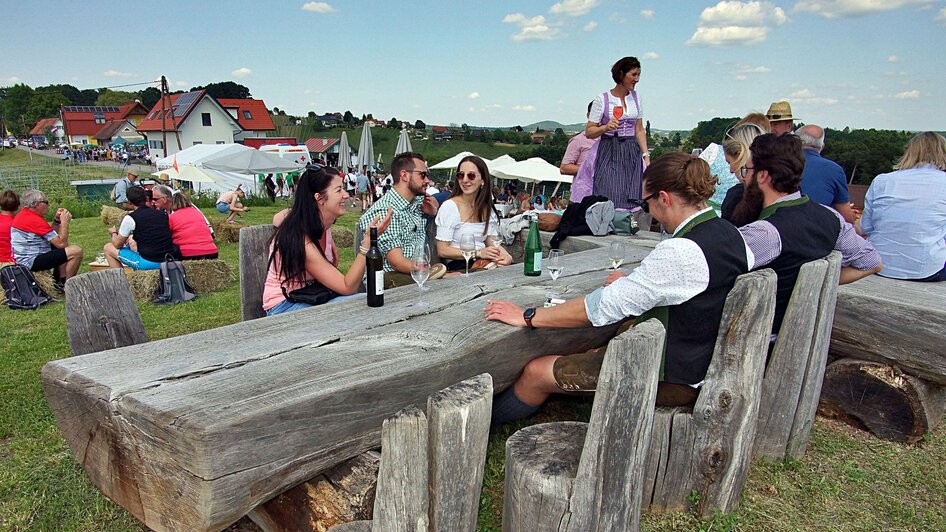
(401,503)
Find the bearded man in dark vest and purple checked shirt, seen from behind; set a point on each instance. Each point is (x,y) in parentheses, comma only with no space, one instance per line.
(789,229)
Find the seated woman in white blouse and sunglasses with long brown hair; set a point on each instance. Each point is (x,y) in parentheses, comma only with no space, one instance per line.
(470,211)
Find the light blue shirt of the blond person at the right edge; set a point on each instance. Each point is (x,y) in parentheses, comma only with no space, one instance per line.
(905,217)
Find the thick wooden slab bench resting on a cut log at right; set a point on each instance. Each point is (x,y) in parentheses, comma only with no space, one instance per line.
(890,336)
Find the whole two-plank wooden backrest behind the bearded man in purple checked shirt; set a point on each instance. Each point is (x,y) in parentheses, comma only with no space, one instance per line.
(795,369)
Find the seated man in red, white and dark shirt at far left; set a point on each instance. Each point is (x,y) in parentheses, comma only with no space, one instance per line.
(39,246)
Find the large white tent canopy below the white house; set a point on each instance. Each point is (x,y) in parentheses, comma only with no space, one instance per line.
(226,165)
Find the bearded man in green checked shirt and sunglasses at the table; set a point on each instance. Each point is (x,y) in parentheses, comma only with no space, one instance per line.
(409,203)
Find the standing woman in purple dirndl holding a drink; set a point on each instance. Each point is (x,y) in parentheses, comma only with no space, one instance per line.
(622,150)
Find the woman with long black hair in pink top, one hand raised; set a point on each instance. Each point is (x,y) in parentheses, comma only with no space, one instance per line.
(302,251)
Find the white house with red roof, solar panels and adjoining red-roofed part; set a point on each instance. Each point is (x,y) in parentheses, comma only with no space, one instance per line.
(198,118)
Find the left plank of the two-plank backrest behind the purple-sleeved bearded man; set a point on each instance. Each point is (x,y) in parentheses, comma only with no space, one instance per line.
(788,363)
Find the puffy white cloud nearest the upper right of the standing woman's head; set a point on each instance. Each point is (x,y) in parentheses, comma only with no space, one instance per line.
(735,23)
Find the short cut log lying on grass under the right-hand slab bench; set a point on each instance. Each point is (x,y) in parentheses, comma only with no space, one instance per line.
(892,405)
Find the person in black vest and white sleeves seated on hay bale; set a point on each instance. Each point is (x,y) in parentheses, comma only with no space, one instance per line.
(152,242)
